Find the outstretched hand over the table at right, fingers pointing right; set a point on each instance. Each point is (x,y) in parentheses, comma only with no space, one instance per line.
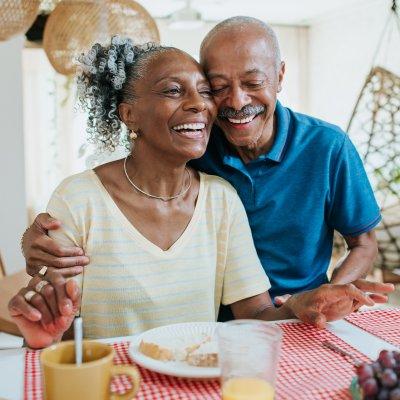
(331,302)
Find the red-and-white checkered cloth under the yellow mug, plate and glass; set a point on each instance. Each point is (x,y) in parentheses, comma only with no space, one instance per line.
(307,370)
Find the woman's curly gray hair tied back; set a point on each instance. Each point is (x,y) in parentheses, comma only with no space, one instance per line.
(105,79)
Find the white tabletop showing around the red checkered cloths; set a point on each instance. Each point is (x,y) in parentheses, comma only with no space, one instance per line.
(12,361)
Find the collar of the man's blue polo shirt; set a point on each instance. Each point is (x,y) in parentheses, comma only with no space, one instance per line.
(277,150)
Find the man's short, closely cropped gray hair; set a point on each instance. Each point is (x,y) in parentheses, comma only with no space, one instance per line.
(240,22)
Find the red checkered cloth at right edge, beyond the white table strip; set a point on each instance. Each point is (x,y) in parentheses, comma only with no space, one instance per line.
(382,323)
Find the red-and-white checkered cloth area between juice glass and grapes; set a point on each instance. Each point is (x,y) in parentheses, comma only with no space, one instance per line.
(309,371)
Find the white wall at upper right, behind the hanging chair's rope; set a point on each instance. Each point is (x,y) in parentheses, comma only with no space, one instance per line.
(341,49)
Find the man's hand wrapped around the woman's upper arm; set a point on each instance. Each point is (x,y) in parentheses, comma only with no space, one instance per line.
(39,249)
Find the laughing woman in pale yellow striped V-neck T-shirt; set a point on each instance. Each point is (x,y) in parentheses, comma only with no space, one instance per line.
(167,244)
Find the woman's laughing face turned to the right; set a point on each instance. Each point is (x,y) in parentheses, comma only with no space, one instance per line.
(174,110)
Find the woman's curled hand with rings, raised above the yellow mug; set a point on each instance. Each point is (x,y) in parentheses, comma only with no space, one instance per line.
(48,314)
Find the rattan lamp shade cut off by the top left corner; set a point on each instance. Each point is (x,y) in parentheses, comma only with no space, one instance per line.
(16,16)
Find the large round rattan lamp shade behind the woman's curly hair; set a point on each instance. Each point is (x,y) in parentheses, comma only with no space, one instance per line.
(74,25)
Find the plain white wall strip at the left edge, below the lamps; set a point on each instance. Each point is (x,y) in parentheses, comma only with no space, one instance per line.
(13,215)
